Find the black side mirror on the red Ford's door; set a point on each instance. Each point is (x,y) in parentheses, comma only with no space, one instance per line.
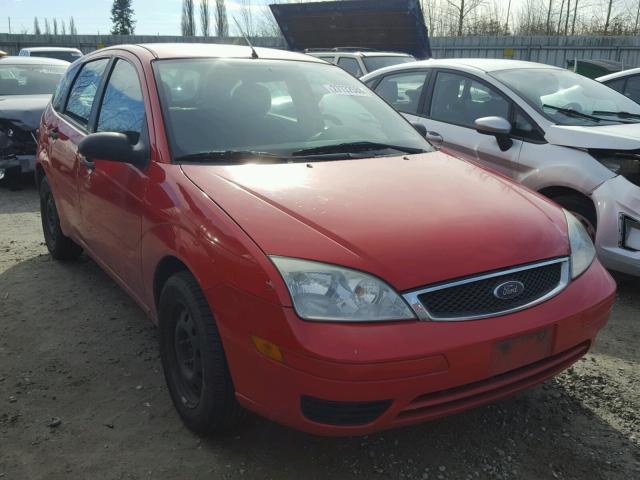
(112,146)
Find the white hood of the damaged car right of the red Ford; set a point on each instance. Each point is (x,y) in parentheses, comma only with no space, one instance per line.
(618,137)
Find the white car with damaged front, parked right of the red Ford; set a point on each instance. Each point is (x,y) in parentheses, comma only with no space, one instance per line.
(566,136)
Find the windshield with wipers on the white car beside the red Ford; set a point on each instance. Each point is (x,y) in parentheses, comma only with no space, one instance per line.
(567,98)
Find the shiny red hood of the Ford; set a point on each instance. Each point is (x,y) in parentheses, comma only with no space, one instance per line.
(412,222)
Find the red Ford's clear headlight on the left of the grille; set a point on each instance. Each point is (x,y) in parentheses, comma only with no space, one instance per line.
(328,292)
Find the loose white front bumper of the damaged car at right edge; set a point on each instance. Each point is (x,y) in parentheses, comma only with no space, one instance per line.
(617,200)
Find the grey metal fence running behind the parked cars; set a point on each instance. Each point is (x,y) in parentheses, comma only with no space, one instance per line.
(550,50)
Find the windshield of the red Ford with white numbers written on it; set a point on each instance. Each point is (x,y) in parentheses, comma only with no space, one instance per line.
(274,107)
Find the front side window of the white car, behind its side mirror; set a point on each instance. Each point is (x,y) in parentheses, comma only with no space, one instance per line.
(459,99)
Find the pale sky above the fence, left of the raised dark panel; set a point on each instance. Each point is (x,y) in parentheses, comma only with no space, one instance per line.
(93,16)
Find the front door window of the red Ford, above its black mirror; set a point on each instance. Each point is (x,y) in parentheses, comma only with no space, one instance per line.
(122,107)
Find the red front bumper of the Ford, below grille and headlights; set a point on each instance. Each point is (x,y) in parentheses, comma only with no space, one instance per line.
(404,372)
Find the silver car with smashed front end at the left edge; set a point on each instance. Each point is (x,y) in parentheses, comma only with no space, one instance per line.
(26,85)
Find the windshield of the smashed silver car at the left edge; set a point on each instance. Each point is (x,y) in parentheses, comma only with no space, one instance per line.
(29,79)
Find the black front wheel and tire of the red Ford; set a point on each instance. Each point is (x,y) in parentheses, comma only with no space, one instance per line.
(193,359)
